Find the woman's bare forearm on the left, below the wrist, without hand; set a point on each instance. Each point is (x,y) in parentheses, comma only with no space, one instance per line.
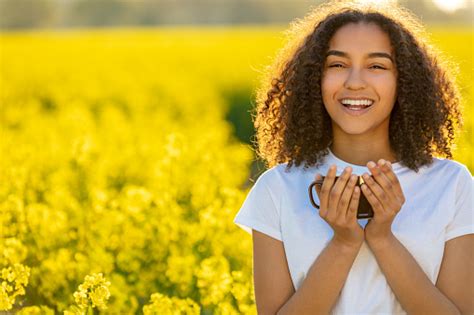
(324,281)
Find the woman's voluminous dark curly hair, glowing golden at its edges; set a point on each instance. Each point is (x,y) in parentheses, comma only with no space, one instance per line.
(291,122)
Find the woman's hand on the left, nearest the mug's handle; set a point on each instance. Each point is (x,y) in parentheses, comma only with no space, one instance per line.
(338,203)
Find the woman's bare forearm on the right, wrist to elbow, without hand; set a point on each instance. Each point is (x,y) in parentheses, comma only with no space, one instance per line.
(411,286)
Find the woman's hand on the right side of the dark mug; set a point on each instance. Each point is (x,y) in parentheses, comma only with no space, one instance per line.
(384,193)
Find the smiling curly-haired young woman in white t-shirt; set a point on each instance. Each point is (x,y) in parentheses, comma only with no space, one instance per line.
(358,92)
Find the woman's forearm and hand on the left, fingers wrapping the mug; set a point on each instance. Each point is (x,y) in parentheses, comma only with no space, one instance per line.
(325,279)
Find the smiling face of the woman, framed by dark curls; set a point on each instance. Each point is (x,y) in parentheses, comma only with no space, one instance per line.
(358,66)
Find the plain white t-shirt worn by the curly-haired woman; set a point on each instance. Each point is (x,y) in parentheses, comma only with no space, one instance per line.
(438,207)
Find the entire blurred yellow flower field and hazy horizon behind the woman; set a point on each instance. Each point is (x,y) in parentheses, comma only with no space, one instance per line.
(126,147)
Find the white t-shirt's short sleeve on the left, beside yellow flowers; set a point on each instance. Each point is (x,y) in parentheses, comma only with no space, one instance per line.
(259,210)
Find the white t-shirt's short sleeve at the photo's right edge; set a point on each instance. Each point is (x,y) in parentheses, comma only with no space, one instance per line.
(463,220)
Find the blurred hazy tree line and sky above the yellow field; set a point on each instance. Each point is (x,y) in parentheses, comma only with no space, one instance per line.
(105,13)
